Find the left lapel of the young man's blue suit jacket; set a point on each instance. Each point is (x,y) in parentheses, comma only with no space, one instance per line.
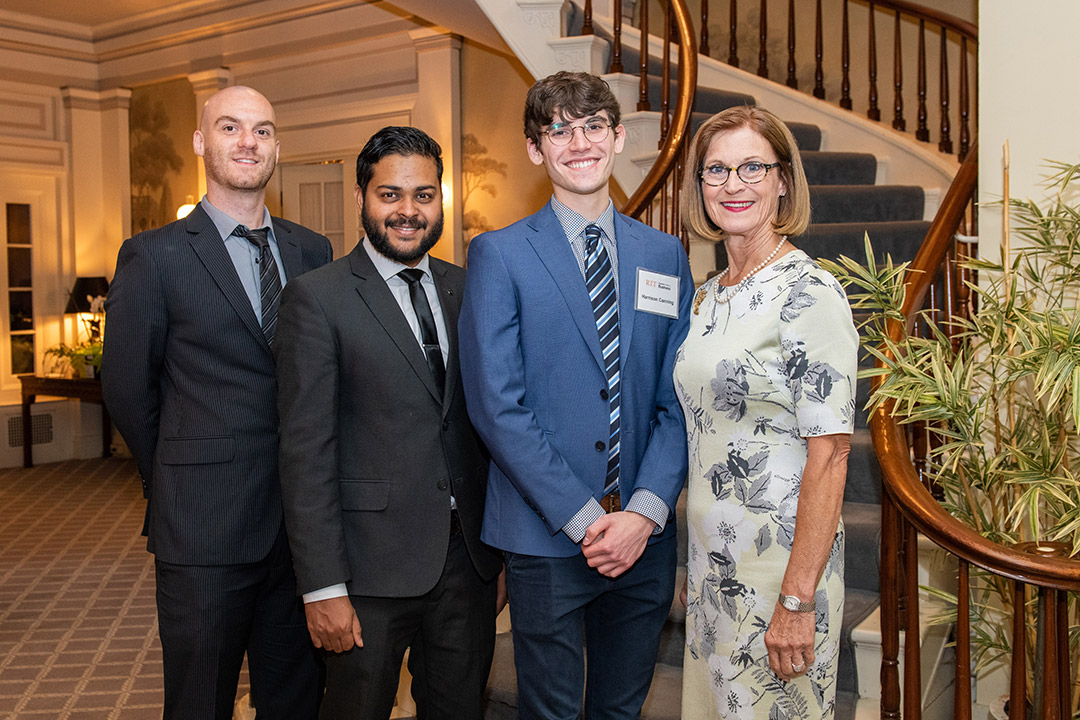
(549,241)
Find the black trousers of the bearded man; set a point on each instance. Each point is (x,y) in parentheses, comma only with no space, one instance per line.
(451,635)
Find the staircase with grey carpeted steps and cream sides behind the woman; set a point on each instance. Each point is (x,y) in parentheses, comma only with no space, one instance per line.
(865,179)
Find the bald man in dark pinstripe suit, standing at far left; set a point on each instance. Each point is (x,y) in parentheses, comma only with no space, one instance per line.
(188,377)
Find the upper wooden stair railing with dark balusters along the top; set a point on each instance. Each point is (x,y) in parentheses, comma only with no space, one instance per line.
(955,36)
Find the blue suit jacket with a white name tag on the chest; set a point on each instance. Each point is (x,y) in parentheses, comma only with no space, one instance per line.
(533,373)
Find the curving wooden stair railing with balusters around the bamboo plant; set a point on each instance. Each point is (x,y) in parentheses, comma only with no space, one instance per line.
(909,509)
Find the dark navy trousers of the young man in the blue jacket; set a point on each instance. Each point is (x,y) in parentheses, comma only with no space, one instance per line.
(561,610)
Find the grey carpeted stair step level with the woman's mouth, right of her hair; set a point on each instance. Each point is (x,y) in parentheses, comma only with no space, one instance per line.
(860,203)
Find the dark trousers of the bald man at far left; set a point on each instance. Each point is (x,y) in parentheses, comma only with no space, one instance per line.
(210,616)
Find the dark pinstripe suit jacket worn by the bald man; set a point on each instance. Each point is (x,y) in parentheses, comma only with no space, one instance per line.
(190,381)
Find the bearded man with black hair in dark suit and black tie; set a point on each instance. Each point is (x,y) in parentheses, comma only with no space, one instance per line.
(383,476)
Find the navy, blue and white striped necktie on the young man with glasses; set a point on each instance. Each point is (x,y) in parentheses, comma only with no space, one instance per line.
(600,282)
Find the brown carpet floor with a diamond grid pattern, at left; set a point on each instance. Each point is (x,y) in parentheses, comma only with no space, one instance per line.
(78,621)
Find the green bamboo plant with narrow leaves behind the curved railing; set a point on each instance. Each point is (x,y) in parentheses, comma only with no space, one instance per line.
(1001,396)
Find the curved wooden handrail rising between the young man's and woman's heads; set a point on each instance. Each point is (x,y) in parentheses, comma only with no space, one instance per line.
(681,117)
